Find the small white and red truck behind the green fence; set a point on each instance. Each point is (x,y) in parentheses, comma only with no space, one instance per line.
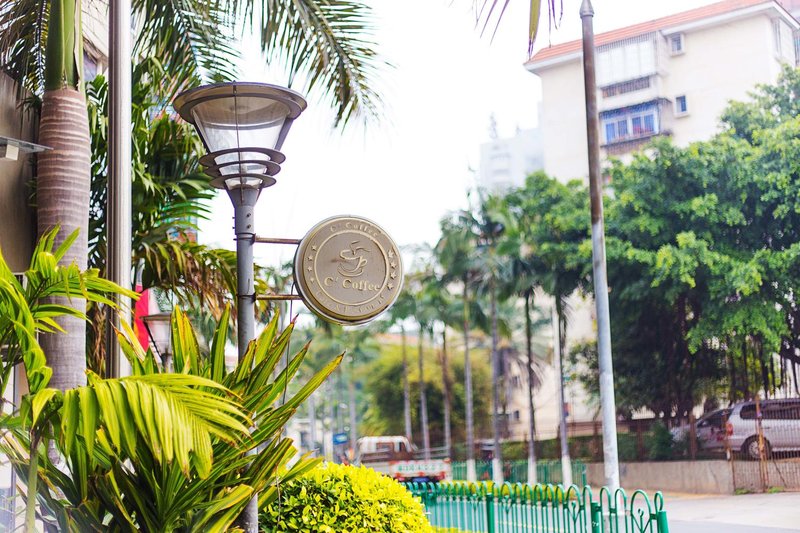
(399,459)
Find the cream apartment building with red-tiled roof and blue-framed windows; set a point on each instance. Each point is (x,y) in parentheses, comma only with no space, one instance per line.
(670,76)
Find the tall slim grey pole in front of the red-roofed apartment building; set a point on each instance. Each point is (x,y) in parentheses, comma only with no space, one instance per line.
(607,403)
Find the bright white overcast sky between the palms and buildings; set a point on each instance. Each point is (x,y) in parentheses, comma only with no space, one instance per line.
(414,164)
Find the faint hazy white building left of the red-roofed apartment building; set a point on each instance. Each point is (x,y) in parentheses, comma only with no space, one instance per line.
(505,162)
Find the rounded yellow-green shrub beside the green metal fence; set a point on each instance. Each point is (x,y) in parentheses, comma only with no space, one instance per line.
(339,498)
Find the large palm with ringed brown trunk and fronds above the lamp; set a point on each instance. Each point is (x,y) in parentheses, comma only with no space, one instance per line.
(41,46)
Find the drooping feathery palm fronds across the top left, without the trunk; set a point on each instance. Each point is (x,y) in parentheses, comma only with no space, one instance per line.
(326,42)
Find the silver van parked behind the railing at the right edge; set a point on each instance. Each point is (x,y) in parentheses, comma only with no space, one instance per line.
(780,426)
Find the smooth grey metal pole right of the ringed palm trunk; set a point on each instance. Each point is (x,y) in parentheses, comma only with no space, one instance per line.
(118,207)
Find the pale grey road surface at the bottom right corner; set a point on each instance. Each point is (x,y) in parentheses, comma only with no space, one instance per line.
(746,513)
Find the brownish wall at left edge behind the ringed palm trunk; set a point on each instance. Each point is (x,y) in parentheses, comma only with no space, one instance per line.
(17,227)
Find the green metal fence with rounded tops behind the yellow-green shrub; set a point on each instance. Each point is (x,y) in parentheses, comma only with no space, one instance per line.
(518,508)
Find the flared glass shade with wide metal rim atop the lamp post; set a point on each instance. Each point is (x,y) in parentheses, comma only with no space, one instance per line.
(232,116)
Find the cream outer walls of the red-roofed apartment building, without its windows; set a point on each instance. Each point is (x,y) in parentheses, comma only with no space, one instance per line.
(720,63)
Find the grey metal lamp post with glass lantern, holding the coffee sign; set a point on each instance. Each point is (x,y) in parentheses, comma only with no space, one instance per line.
(243,126)
